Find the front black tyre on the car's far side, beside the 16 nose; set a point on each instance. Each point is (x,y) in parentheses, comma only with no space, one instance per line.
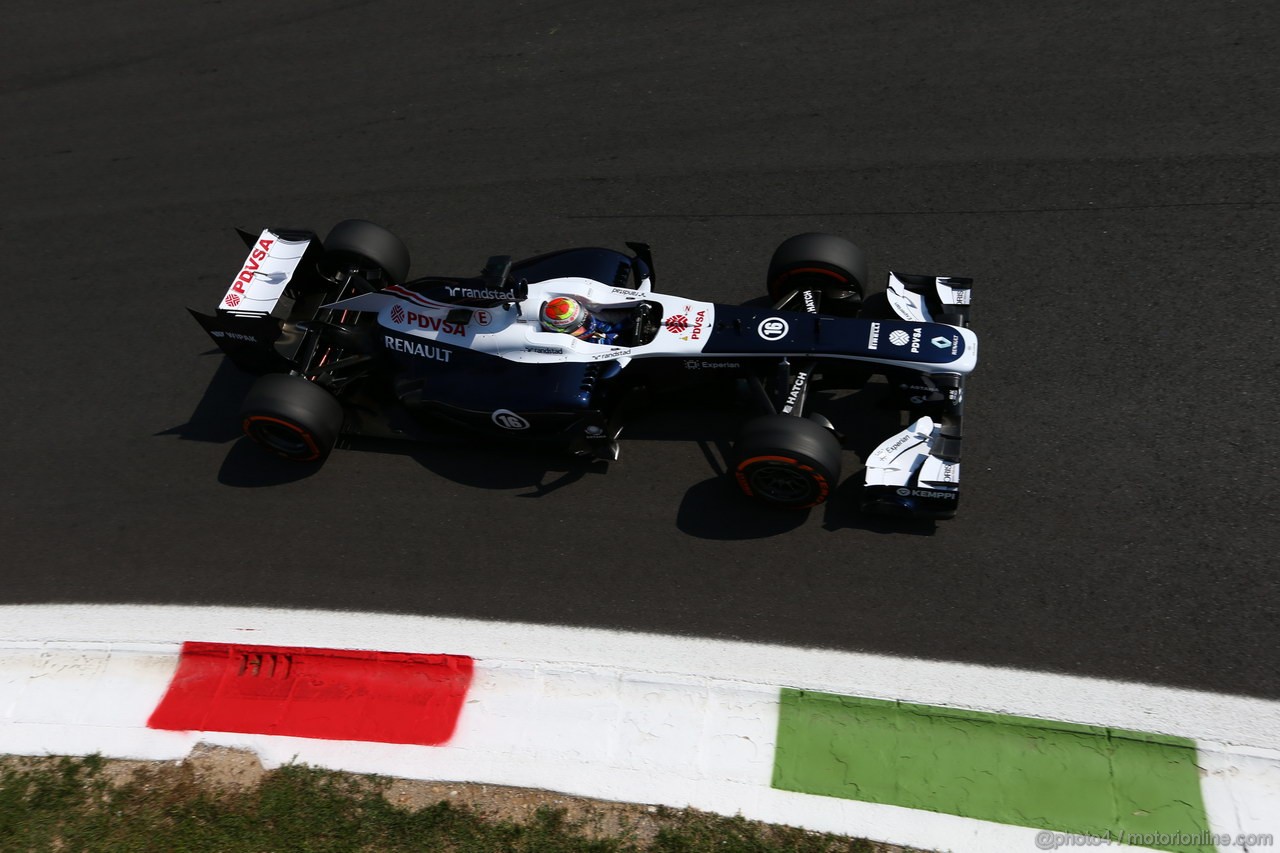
(824,263)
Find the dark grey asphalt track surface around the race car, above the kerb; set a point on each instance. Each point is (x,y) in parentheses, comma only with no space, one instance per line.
(1107,172)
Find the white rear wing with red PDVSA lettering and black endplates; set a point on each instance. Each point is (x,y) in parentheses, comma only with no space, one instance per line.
(248,323)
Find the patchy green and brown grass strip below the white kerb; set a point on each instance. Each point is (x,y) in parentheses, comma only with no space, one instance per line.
(74,805)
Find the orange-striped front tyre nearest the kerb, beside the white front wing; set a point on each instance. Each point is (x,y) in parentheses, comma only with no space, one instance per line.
(787,462)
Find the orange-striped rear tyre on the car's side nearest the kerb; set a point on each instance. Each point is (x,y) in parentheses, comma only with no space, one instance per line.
(292,417)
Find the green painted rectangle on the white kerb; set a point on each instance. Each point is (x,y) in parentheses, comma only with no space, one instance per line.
(1108,783)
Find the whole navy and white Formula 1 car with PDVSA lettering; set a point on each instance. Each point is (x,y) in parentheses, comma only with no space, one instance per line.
(339,331)
